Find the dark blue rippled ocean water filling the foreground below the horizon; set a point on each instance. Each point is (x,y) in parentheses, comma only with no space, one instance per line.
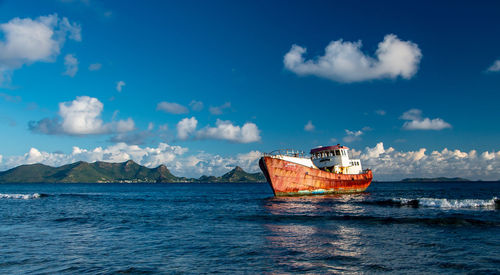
(410,228)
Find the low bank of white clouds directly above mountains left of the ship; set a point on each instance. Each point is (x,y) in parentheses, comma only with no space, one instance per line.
(176,158)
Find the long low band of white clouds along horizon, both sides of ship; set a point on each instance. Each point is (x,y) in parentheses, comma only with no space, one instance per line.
(386,163)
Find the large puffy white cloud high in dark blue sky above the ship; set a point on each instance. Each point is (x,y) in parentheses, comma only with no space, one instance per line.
(345,62)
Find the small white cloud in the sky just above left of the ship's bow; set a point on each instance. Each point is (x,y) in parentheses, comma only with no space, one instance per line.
(225,130)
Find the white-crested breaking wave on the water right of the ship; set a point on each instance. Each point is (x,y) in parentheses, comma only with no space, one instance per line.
(439,203)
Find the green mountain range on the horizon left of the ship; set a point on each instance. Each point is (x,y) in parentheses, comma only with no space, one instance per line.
(102,172)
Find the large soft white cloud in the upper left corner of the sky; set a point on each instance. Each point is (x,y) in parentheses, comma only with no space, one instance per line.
(25,41)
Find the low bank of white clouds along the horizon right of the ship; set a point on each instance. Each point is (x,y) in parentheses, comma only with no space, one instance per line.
(390,164)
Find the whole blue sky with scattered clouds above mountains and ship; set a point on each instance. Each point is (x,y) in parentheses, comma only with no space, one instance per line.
(436,88)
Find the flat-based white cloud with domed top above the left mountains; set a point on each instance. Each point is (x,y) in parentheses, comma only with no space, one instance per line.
(81,116)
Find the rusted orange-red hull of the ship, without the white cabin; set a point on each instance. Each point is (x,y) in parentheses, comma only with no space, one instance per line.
(288,179)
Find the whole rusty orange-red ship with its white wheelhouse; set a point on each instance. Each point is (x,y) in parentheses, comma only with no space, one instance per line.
(326,170)
